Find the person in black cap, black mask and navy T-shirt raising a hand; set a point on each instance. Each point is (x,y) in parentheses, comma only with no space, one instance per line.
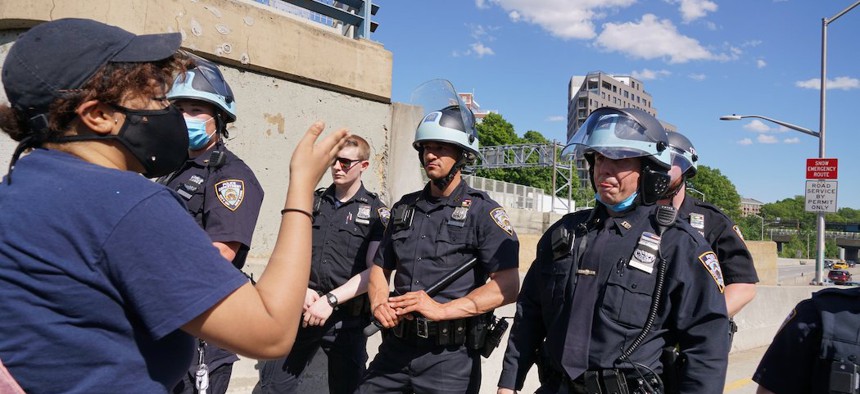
(104,276)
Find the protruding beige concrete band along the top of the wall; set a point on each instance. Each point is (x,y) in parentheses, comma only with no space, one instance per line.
(239,33)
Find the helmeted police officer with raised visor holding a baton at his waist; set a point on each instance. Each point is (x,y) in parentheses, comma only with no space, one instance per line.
(433,345)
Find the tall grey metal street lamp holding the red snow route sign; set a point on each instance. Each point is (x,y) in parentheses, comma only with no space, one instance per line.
(819,259)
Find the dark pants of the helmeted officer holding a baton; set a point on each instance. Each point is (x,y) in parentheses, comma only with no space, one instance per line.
(414,365)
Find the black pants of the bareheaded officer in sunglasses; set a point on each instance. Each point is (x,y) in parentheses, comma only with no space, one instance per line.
(343,343)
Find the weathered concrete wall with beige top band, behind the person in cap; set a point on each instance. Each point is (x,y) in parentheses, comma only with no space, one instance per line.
(286,73)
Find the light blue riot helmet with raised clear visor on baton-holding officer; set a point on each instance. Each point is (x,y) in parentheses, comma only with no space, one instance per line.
(446,119)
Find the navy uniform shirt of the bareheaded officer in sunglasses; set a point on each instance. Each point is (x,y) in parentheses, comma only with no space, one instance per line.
(342,232)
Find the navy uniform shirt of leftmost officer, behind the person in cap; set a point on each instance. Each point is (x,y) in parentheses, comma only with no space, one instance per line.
(224,199)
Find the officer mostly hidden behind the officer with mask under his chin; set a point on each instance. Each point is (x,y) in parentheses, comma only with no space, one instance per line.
(722,234)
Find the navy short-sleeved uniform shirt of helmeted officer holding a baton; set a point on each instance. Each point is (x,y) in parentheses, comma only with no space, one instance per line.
(444,233)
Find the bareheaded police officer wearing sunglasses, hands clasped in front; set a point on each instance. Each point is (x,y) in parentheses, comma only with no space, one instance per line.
(348,224)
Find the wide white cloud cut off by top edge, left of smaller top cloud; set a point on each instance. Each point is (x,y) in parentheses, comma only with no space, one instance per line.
(562,18)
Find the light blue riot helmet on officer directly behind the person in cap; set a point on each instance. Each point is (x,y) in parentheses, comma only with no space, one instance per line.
(205,82)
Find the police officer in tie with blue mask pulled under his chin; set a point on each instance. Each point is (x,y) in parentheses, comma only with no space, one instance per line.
(611,286)
